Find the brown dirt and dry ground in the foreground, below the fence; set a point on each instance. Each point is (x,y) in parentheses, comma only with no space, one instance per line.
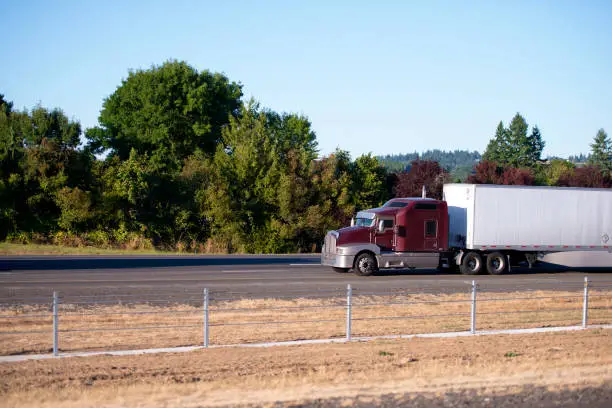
(363,374)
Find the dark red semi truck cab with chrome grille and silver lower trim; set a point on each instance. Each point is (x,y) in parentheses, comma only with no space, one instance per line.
(403,233)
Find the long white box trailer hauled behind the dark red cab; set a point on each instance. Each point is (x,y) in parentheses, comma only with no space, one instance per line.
(525,220)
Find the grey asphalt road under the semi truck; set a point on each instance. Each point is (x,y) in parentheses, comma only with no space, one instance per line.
(29,276)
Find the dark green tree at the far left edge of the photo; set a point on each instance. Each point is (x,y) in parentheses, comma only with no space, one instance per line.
(40,157)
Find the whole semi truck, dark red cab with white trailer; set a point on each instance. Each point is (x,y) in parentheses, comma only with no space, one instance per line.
(474,228)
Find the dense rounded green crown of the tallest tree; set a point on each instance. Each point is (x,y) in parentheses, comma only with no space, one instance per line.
(168,111)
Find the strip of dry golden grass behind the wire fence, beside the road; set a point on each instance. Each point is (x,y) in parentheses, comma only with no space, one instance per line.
(107,327)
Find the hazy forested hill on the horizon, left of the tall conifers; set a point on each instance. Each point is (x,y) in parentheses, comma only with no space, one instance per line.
(459,162)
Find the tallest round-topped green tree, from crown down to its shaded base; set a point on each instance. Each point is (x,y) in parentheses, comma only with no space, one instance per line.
(156,121)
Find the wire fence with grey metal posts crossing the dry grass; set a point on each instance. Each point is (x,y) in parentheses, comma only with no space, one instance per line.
(70,322)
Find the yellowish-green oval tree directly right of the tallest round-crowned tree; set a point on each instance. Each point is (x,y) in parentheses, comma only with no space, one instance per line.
(241,198)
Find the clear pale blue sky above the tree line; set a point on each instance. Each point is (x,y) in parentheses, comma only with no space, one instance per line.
(393,77)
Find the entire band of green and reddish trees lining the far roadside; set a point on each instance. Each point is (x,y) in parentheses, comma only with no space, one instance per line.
(180,161)
